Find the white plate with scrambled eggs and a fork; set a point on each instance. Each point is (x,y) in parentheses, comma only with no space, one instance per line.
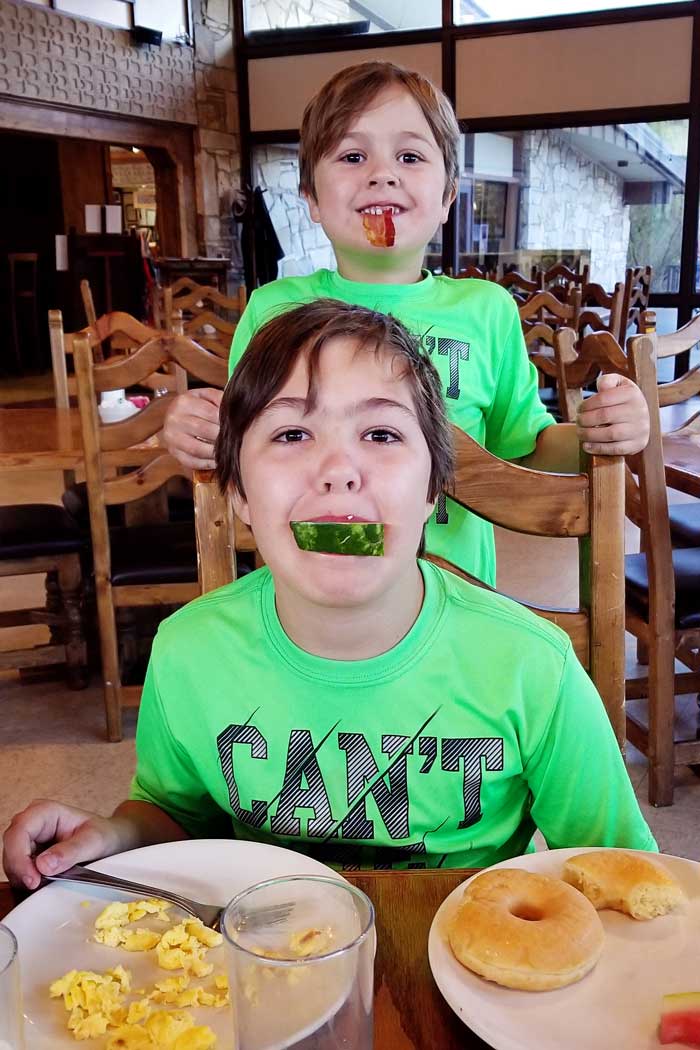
(54,929)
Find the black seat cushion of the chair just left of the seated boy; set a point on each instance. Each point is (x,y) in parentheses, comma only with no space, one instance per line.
(155,555)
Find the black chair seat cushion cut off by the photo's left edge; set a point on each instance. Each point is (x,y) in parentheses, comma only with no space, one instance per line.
(38,531)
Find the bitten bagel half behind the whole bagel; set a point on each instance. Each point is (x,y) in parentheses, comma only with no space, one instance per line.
(625,883)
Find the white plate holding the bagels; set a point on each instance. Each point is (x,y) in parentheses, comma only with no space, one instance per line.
(618,1005)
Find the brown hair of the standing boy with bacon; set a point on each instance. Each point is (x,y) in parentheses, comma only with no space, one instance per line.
(349,93)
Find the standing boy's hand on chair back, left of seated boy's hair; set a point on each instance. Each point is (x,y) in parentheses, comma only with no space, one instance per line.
(192,428)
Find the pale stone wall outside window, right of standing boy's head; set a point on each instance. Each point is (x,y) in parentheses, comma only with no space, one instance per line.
(569,202)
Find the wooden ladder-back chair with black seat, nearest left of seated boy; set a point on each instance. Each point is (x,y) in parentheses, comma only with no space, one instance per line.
(133,566)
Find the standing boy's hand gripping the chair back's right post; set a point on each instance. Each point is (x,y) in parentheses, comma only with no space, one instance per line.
(616,421)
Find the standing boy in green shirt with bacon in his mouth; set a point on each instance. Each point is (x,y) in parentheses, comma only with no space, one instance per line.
(379,169)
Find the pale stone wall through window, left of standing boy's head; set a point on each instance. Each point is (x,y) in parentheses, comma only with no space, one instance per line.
(306,247)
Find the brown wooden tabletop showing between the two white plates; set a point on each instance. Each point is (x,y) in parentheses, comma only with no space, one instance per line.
(410,1012)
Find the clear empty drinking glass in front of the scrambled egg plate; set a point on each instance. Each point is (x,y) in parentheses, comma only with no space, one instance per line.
(301,959)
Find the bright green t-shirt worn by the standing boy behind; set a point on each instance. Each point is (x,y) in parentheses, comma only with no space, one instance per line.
(473,332)
